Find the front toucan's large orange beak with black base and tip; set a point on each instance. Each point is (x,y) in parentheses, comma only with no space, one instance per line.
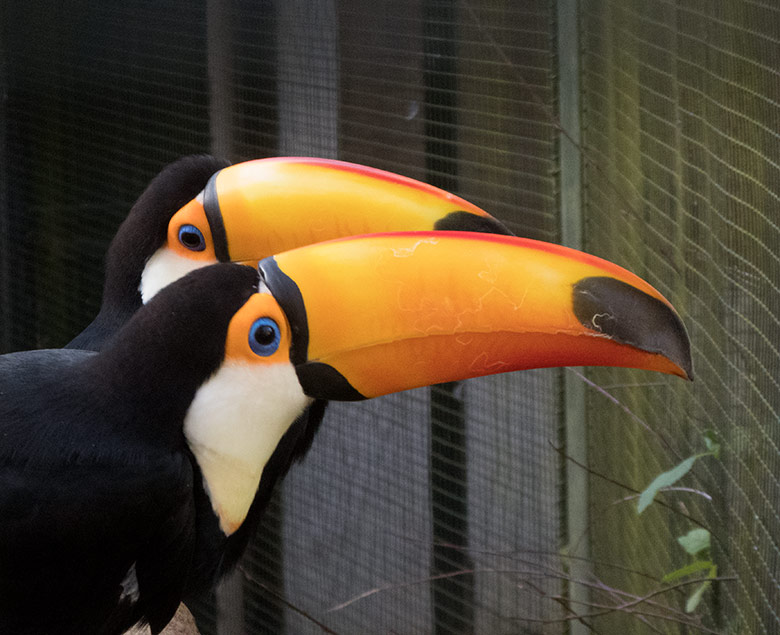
(378,314)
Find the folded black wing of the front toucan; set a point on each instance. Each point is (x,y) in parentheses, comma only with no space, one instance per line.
(95,531)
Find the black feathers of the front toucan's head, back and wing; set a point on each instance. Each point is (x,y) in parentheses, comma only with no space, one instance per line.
(99,493)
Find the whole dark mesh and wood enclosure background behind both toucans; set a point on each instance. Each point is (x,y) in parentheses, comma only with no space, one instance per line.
(643,131)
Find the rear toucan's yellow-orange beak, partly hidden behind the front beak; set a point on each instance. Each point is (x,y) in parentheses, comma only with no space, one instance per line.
(267,206)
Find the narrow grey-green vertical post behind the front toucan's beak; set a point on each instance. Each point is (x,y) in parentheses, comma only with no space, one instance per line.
(575,432)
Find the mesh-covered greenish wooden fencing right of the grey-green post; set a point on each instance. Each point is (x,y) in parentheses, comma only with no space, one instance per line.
(681,114)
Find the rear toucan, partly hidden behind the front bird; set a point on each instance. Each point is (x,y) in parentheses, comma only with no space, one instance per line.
(201,210)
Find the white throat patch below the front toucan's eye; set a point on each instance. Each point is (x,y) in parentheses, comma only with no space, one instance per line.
(233,426)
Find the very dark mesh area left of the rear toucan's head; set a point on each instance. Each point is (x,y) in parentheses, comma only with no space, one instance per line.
(97,99)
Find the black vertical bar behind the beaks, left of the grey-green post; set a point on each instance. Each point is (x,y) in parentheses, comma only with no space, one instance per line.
(452,597)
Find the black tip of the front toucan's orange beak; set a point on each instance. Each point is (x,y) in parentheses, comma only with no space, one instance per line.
(632,317)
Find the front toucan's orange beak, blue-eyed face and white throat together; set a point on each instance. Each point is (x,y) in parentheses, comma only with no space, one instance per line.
(361,317)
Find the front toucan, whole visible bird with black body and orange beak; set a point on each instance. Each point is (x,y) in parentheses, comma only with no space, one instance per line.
(133,476)
